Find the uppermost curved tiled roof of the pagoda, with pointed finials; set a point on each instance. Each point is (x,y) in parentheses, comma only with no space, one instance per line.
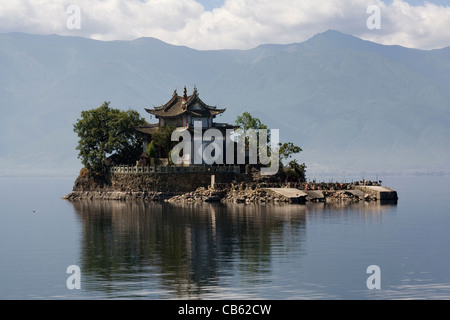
(179,105)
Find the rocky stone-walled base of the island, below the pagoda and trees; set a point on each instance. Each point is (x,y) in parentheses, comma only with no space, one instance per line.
(215,185)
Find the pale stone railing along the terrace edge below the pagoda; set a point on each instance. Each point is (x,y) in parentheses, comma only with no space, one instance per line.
(173,169)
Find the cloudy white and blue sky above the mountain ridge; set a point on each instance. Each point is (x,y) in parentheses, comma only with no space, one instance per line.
(233,24)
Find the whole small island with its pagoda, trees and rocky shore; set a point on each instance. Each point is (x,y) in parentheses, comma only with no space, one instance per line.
(141,166)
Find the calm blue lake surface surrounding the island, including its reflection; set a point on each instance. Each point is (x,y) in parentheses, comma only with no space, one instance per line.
(139,250)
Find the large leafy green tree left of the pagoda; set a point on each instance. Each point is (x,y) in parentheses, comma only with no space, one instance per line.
(105,131)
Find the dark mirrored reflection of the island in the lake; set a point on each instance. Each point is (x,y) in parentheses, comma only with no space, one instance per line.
(161,250)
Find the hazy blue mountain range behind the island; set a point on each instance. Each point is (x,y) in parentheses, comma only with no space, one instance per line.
(352,105)
